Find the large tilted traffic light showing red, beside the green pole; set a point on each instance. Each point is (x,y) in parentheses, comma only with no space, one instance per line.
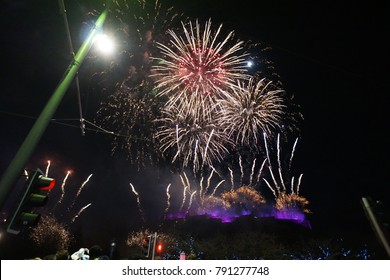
(34,194)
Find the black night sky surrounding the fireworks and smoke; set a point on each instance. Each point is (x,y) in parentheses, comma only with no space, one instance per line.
(332,56)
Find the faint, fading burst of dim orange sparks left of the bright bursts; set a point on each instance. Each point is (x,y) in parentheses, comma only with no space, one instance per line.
(130,113)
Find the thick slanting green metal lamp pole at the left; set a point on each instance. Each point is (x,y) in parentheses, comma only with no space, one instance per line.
(25,151)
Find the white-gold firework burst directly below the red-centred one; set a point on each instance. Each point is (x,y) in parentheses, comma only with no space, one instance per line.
(192,137)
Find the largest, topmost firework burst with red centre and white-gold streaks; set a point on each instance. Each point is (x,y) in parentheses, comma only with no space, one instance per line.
(198,65)
